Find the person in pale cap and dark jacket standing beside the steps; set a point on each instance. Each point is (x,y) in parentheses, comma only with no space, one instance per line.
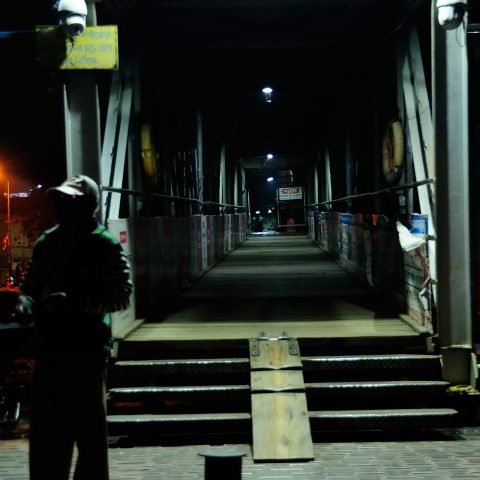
(78,274)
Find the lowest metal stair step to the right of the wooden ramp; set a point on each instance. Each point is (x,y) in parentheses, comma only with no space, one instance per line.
(385,418)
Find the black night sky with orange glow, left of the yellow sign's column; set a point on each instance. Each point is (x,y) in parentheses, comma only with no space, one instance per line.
(31,109)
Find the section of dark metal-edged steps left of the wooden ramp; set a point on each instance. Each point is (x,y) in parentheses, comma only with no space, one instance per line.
(181,394)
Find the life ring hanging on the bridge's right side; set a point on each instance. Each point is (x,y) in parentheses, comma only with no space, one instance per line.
(393,151)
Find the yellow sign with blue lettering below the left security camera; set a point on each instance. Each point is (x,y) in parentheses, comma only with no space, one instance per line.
(95,49)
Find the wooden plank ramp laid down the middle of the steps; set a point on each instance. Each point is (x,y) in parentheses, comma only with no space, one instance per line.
(280,420)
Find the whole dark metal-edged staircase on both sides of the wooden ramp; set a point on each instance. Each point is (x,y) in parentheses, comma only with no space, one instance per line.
(202,394)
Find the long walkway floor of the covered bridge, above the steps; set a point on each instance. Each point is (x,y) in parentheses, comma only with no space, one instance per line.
(272,284)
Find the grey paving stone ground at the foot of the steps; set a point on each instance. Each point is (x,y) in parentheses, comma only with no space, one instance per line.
(447,455)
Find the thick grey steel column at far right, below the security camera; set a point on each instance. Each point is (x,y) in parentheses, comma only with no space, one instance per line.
(450,121)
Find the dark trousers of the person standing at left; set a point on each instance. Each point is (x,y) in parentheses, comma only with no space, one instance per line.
(68,408)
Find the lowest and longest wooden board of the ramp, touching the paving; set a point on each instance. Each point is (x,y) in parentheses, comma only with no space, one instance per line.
(281,427)
